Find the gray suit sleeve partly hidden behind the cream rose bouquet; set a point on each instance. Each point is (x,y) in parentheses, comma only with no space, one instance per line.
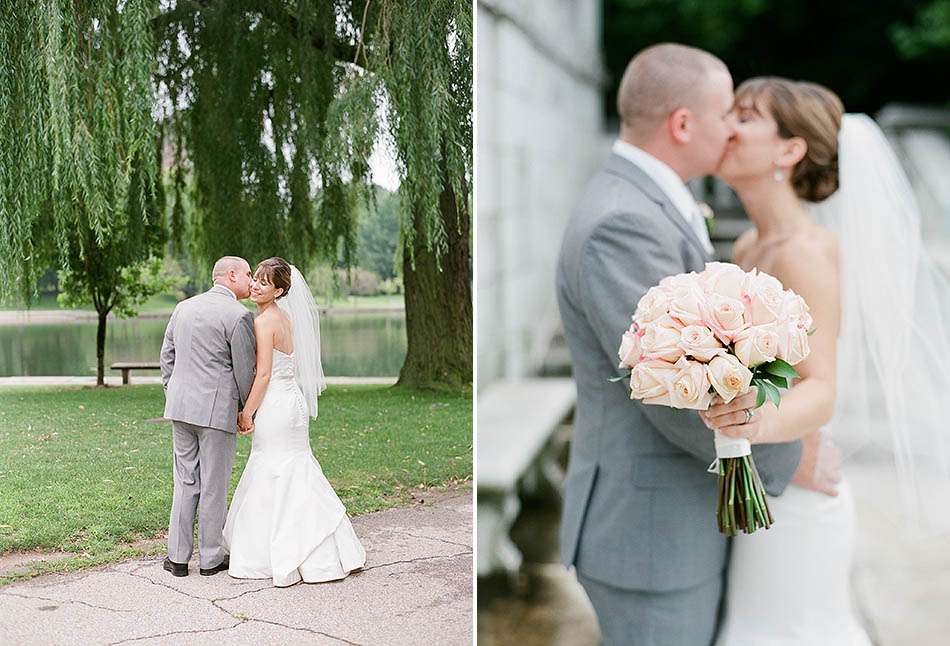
(622,260)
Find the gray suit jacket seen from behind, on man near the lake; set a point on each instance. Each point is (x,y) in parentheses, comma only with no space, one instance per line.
(208,360)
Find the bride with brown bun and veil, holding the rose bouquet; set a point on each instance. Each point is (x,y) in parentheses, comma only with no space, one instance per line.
(854,253)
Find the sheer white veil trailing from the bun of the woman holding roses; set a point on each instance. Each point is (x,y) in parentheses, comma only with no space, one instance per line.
(893,384)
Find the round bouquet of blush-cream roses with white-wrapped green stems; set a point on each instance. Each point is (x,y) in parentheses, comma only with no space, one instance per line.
(719,332)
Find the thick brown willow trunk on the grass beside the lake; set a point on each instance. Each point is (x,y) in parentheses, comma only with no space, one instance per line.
(439,305)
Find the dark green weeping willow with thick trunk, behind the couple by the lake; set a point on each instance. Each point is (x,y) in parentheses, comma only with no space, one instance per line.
(271,111)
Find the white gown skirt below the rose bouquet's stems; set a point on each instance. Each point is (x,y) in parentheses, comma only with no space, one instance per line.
(789,585)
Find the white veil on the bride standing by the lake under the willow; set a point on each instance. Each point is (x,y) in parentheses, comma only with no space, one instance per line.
(304,316)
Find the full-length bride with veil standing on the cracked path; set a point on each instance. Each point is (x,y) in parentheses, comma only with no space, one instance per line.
(285,522)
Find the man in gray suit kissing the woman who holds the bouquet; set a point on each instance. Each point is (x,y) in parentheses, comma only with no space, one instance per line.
(639,507)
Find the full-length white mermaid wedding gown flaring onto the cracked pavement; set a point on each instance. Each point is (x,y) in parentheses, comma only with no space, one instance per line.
(285,522)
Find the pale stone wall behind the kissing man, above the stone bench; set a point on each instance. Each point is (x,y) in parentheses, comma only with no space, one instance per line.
(540,134)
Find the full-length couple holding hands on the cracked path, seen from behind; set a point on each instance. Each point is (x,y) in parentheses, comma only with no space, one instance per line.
(226,372)
